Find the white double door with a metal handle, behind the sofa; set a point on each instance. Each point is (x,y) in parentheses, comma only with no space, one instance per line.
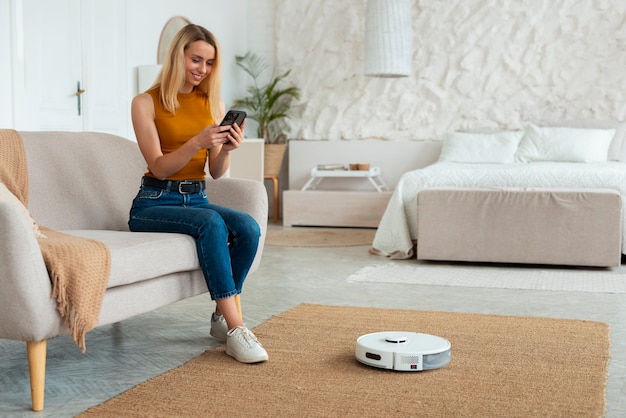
(72,59)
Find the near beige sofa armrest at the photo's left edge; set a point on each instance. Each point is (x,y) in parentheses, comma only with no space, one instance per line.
(27,311)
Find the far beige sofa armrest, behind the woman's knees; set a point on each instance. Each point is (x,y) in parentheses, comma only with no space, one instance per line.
(248,196)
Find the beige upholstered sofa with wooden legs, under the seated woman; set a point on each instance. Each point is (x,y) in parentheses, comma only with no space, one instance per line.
(83,184)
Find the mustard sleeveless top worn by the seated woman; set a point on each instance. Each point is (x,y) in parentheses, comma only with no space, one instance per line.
(193,115)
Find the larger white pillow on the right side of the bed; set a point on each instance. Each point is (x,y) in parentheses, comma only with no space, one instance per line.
(564,144)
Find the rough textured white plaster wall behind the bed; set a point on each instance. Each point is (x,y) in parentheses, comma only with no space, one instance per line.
(476,64)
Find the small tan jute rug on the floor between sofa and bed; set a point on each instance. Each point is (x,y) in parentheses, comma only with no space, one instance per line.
(319,237)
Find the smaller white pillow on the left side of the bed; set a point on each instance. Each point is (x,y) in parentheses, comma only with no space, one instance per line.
(466,147)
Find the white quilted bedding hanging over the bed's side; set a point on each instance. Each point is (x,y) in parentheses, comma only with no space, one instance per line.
(398,227)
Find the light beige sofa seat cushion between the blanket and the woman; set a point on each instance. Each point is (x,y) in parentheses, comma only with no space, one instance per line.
(138,256)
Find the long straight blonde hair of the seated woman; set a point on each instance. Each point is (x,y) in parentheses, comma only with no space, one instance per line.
(172,75)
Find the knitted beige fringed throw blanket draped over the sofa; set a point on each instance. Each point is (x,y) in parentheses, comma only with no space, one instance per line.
(78,267)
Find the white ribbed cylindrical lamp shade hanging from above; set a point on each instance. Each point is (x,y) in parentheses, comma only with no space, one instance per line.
(388,38)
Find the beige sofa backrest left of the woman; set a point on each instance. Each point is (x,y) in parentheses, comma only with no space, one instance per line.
(82,180)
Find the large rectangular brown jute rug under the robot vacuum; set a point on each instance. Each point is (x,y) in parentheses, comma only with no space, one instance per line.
(501,366)
